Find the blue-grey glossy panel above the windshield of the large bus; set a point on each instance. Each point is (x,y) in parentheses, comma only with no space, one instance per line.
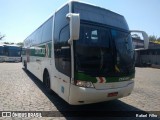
(99,15)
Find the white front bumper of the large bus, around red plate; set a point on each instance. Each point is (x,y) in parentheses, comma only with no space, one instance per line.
(81,95)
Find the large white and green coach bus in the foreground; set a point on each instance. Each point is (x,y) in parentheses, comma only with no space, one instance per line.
(84,53)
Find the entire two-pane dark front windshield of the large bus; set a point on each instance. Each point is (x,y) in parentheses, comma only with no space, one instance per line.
(103,52)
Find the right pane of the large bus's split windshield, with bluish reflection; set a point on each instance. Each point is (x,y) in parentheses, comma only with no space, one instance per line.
(124,52)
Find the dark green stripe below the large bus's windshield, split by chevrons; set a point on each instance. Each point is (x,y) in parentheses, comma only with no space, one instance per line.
(85,77)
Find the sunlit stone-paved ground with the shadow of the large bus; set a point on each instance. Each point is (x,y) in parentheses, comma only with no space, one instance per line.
(21,91)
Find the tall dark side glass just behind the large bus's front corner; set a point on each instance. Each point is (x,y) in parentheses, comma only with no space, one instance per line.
(61,46)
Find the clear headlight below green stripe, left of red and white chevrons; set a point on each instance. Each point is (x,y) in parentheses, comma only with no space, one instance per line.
(86,84)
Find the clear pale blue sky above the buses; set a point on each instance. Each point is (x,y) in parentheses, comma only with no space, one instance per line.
(19,18)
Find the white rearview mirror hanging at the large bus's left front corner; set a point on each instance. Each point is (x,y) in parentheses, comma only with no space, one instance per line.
(74,22)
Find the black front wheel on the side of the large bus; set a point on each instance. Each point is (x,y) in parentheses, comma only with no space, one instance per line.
(46,80)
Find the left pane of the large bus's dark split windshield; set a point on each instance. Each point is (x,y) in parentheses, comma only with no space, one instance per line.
(92,52)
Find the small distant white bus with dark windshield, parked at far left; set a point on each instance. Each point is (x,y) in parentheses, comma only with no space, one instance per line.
(12,53)
